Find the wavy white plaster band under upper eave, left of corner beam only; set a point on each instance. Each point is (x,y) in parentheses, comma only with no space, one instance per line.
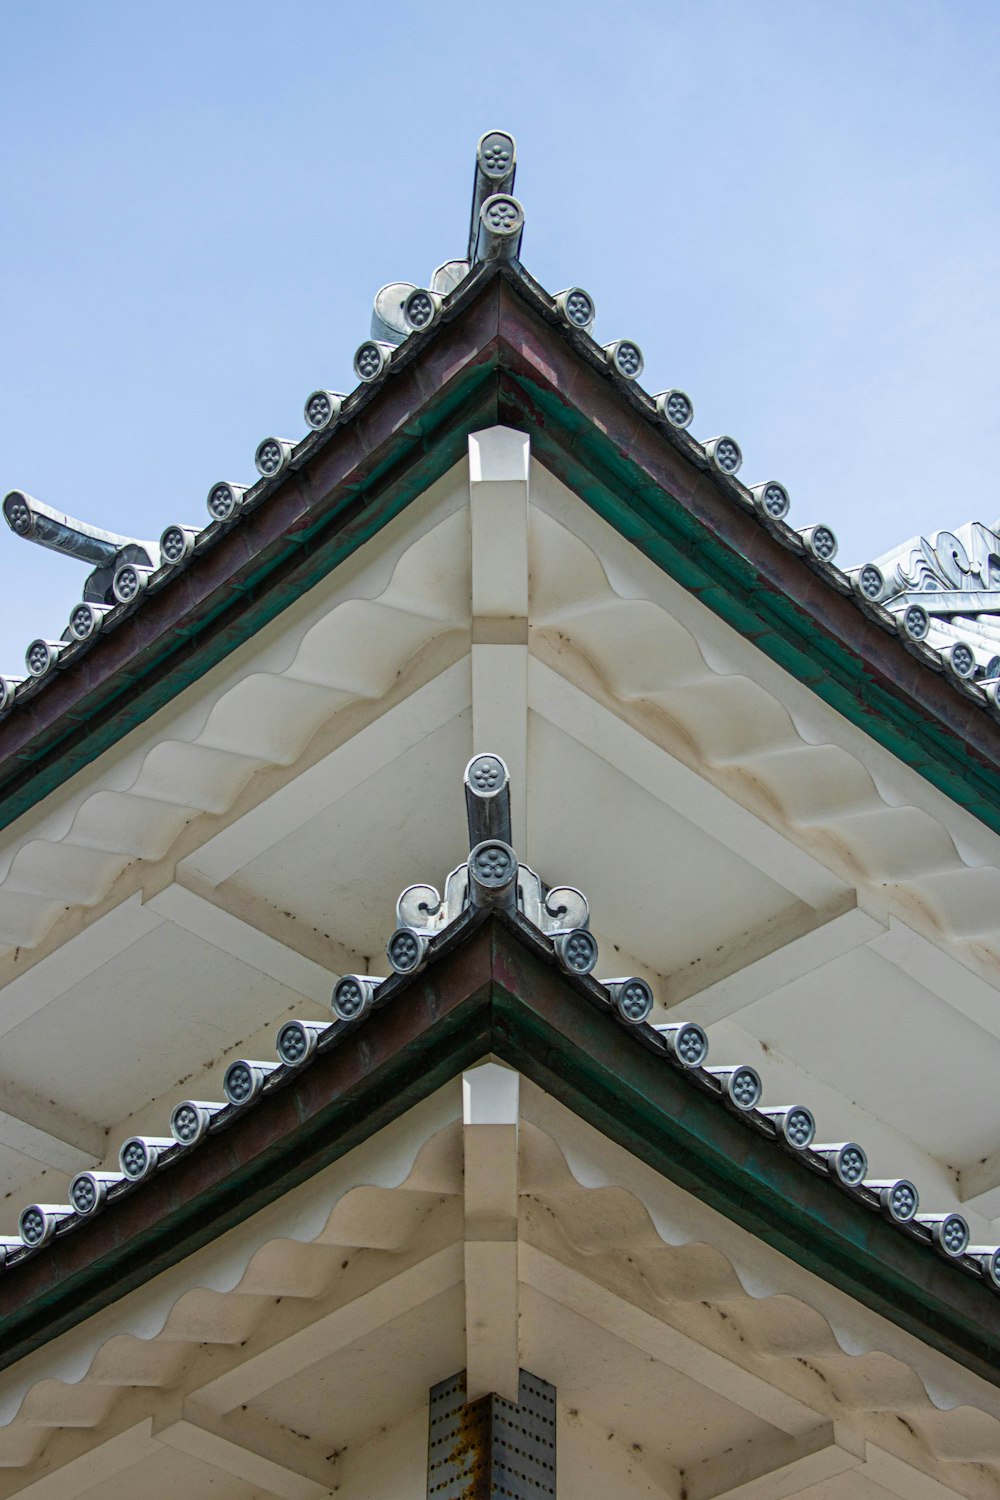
(344,643)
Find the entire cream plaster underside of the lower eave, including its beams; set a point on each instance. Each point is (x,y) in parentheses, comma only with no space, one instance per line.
(295,1355)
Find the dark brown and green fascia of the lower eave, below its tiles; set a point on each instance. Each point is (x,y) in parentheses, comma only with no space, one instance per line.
(494,989)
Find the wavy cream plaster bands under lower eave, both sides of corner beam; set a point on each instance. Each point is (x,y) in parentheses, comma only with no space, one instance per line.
(740,1319)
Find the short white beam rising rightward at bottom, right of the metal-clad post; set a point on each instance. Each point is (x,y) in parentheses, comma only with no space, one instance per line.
(776,1468)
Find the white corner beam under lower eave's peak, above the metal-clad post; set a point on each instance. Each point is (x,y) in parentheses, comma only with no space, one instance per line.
(491,1112)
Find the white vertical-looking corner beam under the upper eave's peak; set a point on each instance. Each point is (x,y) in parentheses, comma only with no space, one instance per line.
(499,505)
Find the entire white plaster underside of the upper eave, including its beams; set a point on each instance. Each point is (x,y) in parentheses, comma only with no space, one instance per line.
(819,907)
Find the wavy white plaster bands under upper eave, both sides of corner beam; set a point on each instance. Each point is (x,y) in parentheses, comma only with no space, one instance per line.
(600,616)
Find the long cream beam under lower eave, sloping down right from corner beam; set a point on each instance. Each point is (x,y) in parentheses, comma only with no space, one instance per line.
(650,1334)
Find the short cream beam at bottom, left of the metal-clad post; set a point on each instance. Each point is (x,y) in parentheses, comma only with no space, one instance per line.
(265,1459)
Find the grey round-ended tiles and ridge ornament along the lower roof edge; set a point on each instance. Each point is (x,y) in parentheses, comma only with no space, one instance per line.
(554,923)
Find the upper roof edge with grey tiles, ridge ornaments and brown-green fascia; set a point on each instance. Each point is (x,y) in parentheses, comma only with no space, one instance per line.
(155,616)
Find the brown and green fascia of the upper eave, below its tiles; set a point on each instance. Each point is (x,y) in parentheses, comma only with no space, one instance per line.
(501,353)
